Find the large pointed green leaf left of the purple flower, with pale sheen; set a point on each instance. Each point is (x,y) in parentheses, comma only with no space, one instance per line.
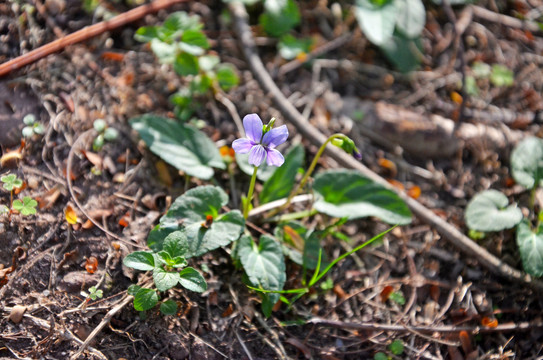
(180,145)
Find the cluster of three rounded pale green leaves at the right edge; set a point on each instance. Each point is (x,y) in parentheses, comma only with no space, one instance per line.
(489,210)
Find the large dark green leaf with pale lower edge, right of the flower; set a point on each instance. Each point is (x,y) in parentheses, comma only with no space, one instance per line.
(346,193)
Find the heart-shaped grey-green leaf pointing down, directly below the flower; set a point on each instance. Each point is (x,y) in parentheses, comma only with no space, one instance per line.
(264,263)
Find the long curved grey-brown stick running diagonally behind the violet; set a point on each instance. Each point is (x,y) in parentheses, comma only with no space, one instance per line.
(448,231)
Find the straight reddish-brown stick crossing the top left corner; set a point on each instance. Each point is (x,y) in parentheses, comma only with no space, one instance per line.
(84,34)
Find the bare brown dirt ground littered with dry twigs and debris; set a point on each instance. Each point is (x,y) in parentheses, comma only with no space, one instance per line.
(452,300)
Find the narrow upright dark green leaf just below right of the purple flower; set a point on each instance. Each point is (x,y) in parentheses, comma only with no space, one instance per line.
(280,184)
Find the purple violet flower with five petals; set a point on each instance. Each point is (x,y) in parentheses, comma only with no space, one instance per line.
(261,146)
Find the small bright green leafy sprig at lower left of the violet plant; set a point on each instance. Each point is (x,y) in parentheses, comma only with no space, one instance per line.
(169,267)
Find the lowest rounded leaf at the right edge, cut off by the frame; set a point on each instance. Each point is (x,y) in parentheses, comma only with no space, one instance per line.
(530,245)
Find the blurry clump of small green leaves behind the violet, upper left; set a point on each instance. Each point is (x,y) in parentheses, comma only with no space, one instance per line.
(180,42)
